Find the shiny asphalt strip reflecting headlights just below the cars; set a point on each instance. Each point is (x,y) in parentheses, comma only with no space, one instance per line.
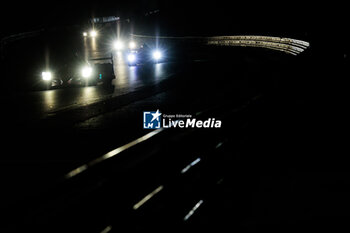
(39,104)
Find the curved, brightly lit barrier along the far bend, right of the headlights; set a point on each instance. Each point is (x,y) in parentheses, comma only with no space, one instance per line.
(287,45)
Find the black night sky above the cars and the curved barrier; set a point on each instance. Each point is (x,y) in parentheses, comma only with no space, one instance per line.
(182,17)
